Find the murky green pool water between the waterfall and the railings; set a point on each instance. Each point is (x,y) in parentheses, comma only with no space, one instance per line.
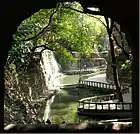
(64,106)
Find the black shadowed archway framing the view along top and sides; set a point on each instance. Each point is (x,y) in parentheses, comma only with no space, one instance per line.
(11,18)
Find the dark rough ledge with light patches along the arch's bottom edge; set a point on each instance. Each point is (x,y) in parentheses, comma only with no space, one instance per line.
(115,127)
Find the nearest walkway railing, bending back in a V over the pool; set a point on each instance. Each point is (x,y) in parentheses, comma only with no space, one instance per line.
(100,103)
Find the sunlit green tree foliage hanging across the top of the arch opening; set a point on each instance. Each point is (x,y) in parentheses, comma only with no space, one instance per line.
(68,31)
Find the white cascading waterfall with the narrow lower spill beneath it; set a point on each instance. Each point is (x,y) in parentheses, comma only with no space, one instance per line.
(50,70)
